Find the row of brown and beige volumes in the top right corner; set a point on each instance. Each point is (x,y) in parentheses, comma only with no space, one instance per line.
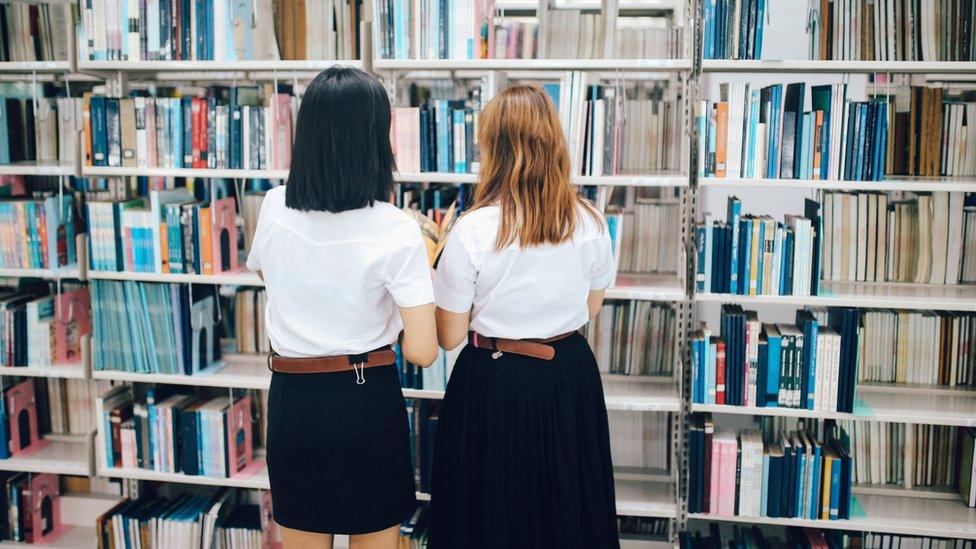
(893,30)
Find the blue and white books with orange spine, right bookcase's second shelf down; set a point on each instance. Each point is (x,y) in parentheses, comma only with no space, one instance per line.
(792,132)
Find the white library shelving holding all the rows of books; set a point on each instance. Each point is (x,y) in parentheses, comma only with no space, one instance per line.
(919,511)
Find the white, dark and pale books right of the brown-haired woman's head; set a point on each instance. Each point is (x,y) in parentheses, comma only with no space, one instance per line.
(628,130)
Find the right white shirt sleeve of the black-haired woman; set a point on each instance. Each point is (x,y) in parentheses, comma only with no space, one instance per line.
(407,272)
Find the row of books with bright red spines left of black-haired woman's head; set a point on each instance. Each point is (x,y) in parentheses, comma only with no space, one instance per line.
(237,127)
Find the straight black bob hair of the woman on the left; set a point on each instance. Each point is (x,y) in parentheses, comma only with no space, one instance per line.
(342,158)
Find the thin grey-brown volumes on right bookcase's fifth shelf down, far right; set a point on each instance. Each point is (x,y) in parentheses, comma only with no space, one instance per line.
(904,454)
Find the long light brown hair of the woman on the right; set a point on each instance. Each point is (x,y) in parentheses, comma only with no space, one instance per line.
(525,169)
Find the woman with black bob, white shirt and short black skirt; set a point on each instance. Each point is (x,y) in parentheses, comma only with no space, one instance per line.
(345,272)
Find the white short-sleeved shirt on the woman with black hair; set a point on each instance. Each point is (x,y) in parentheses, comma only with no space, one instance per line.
(334,280)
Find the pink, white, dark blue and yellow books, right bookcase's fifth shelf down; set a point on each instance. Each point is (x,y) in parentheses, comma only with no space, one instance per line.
(805,473)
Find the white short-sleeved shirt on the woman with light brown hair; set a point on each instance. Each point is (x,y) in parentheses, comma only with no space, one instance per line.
(516,293)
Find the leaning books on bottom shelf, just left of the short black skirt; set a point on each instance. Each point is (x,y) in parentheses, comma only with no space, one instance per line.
(224,518)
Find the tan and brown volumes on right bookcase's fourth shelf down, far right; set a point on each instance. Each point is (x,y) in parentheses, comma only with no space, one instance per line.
(927,347)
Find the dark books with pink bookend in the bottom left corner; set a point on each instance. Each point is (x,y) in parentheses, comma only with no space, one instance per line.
(31,506)
